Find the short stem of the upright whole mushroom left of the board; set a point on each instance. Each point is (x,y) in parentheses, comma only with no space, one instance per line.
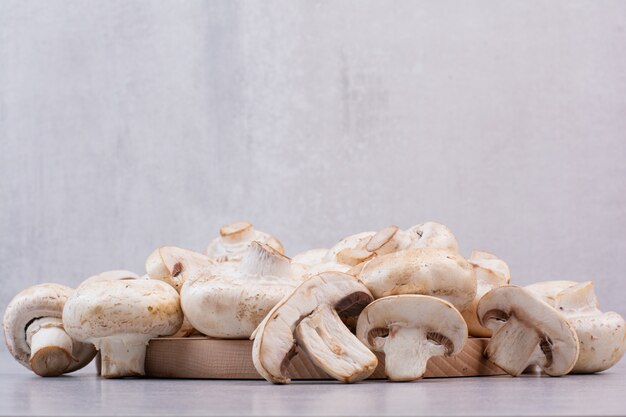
(123,355)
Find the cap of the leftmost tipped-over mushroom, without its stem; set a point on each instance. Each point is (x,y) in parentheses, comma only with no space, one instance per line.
(39,301)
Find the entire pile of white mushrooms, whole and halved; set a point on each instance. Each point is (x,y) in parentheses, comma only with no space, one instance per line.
(399,297)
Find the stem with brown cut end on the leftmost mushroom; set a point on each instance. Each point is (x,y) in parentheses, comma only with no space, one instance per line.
(50,347)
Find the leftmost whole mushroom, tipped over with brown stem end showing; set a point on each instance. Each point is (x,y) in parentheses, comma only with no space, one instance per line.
(34,332)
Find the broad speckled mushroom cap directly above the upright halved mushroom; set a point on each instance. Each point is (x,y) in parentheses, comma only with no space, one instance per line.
(427,271)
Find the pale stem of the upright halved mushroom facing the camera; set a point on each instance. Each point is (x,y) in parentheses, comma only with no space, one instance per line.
(407,351)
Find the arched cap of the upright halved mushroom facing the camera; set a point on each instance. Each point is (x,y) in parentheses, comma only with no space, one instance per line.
(434,315)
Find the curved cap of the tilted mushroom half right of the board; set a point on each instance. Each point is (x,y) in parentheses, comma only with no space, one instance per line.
(499,304)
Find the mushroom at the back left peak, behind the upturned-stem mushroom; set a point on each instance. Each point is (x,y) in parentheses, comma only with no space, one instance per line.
(234,240)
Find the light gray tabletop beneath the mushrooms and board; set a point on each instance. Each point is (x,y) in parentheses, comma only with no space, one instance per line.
(83,393)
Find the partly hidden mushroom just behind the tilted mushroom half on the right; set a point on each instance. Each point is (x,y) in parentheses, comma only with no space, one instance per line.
(491,272)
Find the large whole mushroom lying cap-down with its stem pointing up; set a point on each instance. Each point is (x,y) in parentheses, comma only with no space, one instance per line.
(230,301)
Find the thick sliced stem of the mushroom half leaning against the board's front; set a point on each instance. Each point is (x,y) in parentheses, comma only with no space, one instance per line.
(333,348)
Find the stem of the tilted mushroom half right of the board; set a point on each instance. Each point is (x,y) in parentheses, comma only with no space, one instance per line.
(512,346)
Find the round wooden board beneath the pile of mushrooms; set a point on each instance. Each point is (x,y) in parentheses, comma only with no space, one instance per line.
(200,357)
